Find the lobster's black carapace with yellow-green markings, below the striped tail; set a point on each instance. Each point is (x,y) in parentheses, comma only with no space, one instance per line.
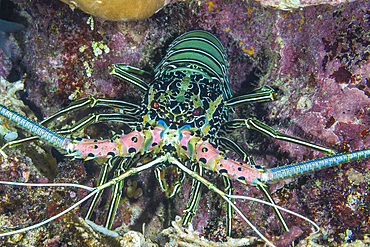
(185,98)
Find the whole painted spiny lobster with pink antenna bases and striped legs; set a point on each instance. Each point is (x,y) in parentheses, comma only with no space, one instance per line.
(181,126)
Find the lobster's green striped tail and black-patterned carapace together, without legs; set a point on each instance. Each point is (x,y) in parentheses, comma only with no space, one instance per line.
(190,85)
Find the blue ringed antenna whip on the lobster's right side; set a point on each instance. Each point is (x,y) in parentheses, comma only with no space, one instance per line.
(286,171)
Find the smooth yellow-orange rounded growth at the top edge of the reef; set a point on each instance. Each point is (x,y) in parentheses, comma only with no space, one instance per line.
(118,10)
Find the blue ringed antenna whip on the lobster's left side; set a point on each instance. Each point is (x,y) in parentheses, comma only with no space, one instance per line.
(36,129)
